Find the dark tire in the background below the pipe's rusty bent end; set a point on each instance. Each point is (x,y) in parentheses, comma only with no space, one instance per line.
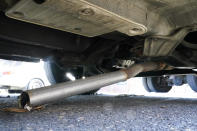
(157,84)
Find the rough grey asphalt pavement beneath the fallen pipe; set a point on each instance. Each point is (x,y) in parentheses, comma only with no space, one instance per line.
(104,113)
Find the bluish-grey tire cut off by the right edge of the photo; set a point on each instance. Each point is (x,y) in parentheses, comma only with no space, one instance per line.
(192,82)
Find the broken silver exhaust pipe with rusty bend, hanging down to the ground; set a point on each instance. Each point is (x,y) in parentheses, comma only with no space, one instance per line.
(56,92)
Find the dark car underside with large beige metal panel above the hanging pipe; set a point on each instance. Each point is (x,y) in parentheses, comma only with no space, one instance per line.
(90,37)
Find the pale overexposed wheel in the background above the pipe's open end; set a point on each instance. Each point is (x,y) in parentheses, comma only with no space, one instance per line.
(35,83)
